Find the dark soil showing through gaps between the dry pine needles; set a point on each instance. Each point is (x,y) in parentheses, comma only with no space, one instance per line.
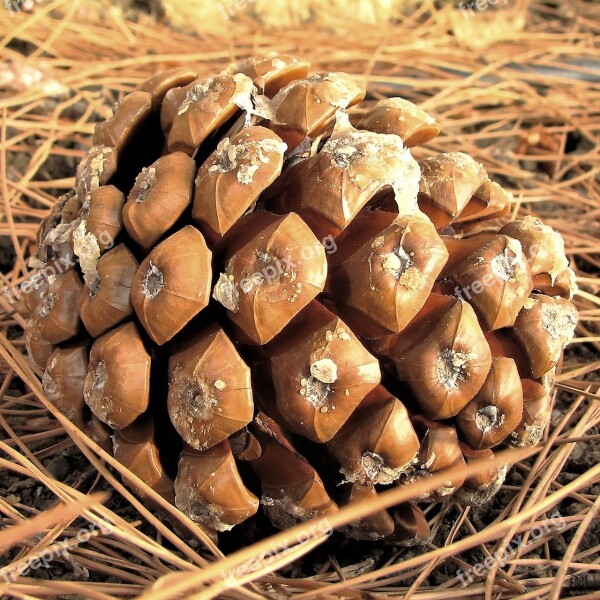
(71,467)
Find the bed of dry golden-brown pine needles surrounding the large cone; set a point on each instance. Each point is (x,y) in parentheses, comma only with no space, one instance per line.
(517,87)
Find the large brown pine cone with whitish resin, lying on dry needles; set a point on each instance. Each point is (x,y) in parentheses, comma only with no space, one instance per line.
(273,305)
